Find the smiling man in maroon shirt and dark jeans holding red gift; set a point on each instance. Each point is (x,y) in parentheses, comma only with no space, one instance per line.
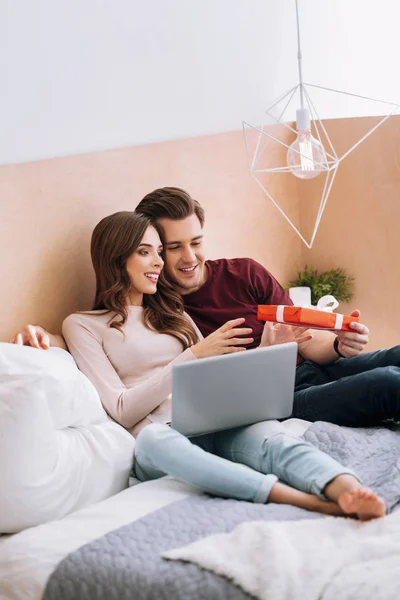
(334,381)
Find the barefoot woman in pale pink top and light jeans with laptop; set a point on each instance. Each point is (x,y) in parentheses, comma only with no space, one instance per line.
(127,346)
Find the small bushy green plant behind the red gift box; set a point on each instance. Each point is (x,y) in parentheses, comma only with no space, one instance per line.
(335,282)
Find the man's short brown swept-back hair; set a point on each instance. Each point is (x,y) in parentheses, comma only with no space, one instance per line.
(170,203)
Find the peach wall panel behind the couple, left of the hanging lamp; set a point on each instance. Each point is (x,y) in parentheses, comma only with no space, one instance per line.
(49,209)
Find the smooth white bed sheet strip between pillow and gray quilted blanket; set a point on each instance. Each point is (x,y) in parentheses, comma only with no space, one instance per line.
(28,558)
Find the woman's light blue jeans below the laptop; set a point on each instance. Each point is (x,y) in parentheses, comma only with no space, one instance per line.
(240,463)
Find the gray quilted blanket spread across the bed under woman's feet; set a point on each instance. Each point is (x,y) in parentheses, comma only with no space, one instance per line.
(127,564)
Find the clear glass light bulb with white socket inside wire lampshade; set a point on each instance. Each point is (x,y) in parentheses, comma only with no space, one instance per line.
(306,157)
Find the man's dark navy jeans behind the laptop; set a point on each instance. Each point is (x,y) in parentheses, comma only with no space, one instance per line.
(356,392)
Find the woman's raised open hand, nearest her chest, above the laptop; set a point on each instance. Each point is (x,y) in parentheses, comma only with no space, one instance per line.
(224,340)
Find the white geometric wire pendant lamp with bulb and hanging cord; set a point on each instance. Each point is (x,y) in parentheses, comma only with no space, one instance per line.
(312,153)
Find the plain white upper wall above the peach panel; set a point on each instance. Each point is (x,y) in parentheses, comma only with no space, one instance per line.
(83,75)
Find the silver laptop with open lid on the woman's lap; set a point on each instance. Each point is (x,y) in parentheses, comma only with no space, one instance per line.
(233,390)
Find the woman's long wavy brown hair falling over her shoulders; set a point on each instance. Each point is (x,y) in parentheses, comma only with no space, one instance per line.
(114,240)
